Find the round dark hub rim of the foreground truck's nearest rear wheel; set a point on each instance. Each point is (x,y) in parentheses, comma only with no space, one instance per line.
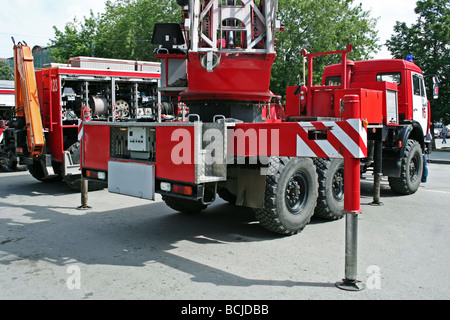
(296,193)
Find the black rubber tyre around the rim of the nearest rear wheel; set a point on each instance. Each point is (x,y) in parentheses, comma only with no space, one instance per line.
(275,217)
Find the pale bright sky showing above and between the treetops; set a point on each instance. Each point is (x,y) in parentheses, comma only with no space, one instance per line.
(32,21)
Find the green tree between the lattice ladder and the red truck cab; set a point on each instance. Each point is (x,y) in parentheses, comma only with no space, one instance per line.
(317,26)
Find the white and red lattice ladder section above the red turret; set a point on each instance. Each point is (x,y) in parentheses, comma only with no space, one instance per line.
(233,26)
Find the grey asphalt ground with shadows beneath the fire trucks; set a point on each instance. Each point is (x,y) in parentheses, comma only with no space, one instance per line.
(125,248)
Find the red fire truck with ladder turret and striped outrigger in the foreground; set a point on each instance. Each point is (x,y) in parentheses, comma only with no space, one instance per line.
(286,162)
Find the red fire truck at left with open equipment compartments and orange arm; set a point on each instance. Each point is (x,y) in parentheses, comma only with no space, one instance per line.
(115,90)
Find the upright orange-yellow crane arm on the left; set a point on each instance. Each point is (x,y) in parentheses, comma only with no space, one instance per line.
(27,102)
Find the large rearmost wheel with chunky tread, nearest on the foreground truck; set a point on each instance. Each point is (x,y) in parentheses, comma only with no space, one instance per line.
(290,196)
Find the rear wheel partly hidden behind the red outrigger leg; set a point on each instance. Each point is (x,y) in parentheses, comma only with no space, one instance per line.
(330,203)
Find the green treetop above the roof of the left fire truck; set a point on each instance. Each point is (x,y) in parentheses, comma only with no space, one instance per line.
(123,31)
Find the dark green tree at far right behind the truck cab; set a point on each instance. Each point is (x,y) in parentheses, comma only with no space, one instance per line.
(428,40)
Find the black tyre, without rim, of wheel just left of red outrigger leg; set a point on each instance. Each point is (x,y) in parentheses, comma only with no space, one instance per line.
(328,207)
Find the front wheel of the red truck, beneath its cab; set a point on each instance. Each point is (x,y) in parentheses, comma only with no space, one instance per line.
(411,170)
